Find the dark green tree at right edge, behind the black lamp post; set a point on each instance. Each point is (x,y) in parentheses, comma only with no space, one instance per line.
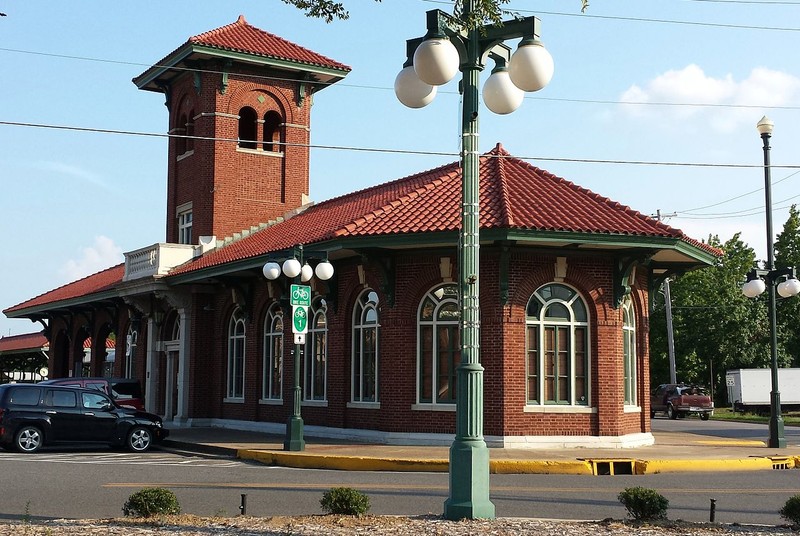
(787,253)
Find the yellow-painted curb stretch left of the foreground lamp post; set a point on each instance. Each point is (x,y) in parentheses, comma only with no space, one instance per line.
(344,463)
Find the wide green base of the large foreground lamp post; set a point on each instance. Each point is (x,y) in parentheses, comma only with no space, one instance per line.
(469,482)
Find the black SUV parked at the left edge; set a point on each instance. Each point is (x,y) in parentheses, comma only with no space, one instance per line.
(34,415)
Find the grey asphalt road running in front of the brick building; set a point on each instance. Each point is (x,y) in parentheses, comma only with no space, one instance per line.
(95,484)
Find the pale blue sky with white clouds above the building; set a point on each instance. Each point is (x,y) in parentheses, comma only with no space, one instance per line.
(71,202)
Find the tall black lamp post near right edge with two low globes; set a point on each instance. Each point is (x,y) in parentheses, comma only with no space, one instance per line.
(787,286)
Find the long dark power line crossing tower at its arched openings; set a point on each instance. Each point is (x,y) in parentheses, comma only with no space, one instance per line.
(396,151)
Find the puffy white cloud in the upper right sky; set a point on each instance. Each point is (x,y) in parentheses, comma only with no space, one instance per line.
(691,85)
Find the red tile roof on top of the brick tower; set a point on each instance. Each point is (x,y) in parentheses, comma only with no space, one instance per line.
(241,36)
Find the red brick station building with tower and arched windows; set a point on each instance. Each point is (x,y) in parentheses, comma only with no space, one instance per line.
(566,278)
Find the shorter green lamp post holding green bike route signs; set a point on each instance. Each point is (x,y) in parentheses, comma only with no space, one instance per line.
(296,269)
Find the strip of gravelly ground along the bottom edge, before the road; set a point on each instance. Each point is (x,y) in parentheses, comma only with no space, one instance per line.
(392,525)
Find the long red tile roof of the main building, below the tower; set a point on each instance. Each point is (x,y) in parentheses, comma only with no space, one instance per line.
(514,195)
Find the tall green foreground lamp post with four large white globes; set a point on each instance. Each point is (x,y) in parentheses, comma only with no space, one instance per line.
(453,44)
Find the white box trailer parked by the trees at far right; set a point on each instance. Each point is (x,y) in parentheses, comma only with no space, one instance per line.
(749,389)
